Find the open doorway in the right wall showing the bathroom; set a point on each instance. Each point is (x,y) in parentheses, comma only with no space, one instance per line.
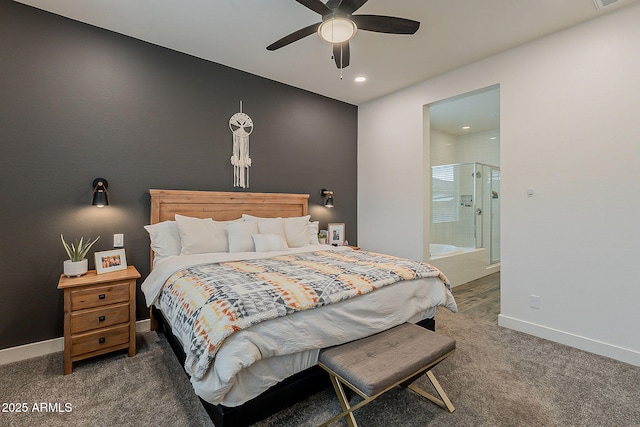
(464,185)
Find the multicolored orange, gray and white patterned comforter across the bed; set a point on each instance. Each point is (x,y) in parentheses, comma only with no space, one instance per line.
(207,303)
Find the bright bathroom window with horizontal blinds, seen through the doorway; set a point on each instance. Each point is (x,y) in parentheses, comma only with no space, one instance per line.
(443,194)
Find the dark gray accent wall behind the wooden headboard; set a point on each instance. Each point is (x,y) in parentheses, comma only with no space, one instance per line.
(78,102)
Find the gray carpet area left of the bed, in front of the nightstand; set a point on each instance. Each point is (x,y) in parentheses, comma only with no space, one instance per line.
(110,390)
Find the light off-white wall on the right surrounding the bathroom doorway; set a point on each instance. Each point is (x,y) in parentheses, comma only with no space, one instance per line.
(569,130)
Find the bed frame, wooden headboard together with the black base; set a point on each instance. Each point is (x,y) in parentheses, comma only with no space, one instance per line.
(224,206)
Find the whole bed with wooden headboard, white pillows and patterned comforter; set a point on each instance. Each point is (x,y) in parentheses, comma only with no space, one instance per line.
(256,364)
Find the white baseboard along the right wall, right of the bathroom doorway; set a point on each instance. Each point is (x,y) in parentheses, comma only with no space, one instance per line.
(583,343)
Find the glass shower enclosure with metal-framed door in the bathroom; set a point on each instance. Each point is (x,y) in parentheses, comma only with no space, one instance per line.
(465,207)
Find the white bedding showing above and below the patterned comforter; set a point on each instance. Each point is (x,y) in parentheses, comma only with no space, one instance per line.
(254,359)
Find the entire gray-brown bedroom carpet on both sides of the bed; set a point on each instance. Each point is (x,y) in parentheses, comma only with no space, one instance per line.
(497,377)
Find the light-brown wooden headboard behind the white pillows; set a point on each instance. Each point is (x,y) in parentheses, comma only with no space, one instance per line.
(224,206)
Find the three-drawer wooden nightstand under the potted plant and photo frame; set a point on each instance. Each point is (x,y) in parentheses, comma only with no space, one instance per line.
(99,314)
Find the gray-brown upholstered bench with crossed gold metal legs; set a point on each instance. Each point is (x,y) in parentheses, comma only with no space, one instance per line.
(374,365)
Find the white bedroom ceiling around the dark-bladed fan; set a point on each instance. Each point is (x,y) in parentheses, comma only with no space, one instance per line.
(235,33)
